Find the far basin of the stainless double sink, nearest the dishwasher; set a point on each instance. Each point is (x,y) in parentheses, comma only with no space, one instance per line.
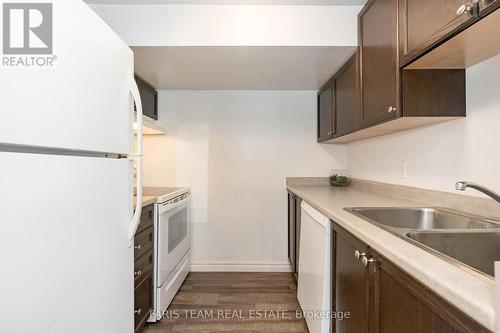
(422,218)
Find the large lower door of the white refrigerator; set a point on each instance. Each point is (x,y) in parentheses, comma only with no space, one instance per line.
(67,264)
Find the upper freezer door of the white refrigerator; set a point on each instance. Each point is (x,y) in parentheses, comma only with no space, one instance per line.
(82,102)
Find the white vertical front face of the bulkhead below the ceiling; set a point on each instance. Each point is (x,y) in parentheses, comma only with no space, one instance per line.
(225,25)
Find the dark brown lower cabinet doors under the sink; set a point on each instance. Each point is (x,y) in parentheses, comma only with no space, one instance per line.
(380,297)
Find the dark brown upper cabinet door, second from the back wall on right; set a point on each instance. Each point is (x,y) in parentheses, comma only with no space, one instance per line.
(346,107)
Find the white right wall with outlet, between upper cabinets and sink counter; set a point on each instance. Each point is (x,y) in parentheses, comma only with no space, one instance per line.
(440,155)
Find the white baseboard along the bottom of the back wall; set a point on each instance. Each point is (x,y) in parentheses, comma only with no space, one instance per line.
(240,267)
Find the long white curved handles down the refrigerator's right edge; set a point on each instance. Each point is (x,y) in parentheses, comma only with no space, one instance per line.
(137,157)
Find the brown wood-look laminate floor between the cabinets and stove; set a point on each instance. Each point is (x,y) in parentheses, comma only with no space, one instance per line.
(234,302)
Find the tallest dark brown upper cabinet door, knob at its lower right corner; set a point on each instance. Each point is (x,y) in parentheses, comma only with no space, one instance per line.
(378,29)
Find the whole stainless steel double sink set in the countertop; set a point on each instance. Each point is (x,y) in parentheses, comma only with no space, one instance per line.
(465,240)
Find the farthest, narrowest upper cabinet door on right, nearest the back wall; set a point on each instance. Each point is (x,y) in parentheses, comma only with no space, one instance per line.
(325,112)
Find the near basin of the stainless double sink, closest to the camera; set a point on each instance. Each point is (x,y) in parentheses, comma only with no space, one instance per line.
(478,250)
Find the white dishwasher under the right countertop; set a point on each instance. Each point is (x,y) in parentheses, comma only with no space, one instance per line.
(314,281)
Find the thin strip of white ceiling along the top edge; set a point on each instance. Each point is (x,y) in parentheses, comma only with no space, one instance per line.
(236,2)
